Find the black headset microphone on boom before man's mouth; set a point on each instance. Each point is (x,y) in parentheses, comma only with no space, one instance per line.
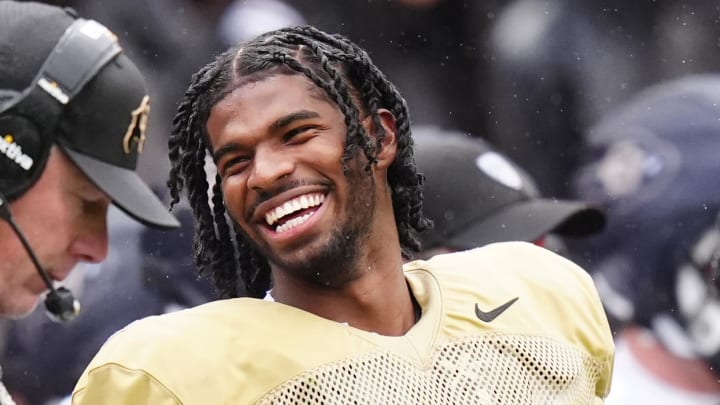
(60,304)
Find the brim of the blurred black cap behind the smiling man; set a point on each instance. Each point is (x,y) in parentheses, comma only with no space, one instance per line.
(529,220)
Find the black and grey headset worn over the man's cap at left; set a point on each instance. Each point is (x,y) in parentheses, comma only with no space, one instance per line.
(28,122)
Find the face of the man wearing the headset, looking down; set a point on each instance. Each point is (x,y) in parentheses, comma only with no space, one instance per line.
(63,217)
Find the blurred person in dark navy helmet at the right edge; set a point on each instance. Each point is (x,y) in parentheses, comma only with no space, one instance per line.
(652,164)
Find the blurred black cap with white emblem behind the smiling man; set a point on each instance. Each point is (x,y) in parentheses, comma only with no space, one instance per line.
(475,195)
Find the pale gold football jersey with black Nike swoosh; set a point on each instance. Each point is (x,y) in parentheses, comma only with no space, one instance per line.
(509,323)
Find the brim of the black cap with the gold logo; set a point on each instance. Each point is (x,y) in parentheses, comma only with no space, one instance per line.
(127,190)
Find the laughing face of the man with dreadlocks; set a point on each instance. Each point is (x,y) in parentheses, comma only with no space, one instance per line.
(278,145)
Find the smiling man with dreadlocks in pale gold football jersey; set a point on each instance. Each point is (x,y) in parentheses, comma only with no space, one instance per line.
(315,204)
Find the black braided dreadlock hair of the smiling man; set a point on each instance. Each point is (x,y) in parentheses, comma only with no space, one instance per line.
(349,78)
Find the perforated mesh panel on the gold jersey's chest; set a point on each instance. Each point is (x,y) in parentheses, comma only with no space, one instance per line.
(497,369)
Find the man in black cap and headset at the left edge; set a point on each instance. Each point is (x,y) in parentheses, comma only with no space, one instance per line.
(73,114)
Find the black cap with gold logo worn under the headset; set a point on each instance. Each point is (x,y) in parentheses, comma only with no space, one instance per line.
(102,128)
